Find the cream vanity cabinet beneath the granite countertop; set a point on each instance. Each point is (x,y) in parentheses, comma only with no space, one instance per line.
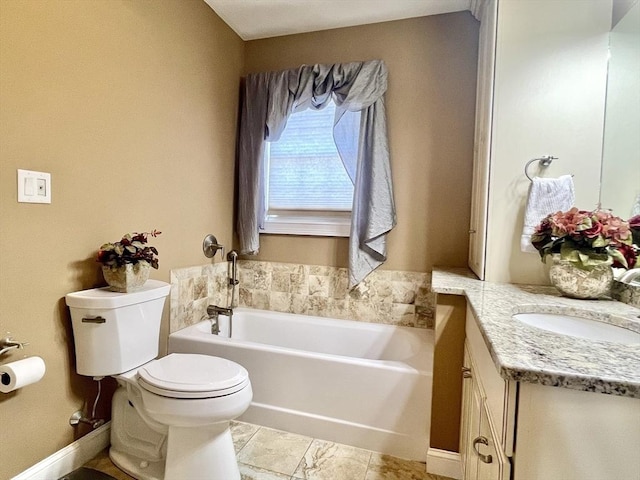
(529,431)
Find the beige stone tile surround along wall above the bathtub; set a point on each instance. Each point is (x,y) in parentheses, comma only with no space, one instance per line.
(391,297)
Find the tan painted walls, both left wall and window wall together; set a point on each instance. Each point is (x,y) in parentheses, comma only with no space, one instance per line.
(132,108)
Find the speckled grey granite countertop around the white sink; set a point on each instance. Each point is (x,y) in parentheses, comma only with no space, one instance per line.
(527,354)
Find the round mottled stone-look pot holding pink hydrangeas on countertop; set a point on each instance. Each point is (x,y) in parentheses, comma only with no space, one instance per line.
(576,282)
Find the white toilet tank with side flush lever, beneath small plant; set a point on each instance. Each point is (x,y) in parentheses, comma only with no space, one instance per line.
(116,332)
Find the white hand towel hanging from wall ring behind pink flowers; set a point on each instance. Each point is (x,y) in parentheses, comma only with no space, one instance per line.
(546,195)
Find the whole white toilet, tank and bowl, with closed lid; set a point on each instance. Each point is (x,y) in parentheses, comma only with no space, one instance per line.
(170,416)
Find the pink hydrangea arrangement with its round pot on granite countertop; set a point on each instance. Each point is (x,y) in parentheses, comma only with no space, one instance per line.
(584,246)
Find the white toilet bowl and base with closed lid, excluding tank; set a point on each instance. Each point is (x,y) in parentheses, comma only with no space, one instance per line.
(188,400)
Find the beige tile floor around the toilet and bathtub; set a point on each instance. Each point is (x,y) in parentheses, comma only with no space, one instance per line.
(267,454)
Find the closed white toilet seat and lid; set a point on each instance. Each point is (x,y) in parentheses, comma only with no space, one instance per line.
(192,376)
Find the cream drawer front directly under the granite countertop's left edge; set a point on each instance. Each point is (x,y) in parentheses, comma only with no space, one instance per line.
(500,394)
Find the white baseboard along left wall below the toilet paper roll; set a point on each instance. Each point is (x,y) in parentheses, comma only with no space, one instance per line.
(70,457)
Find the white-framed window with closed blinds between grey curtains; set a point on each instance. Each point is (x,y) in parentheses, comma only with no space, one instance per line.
(307,189)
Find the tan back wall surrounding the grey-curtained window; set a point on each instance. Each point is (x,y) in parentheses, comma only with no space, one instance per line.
(430,107)
